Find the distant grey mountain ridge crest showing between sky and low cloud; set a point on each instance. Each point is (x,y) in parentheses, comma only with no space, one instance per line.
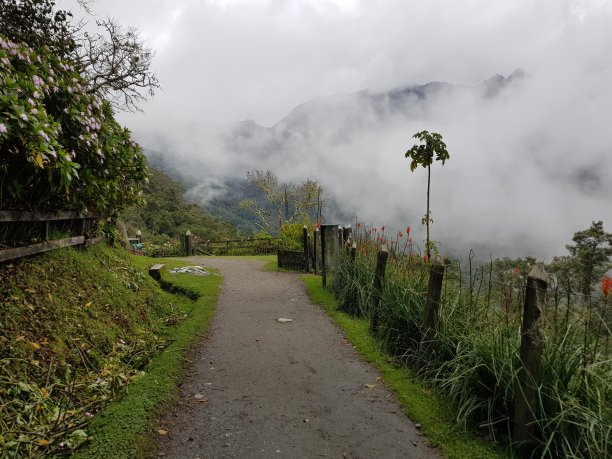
(336,119)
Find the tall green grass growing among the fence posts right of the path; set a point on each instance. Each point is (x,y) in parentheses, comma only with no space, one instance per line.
(475,360)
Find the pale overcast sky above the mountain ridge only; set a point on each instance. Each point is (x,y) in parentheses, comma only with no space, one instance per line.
(229,60)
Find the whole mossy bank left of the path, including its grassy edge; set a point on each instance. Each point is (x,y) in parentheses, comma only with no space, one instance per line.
(76,328)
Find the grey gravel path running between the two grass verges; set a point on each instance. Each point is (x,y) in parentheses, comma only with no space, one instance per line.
(260,388)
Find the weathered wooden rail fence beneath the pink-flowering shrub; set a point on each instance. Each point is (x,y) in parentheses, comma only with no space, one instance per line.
(24,233)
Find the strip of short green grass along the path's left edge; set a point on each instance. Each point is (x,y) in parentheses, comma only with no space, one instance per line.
(124,428)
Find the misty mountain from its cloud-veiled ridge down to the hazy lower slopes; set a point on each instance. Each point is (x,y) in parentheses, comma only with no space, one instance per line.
(327,121)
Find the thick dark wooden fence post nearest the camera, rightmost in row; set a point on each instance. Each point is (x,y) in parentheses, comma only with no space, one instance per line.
(526,430)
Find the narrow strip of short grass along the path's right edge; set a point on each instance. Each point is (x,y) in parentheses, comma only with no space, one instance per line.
(418,401)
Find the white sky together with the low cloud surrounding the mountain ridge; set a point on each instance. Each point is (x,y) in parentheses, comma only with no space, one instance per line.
(229,60)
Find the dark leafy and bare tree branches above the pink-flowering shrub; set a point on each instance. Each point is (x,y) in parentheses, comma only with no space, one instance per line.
(114,61)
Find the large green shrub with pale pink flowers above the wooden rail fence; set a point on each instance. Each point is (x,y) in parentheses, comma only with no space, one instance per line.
(60,147)
